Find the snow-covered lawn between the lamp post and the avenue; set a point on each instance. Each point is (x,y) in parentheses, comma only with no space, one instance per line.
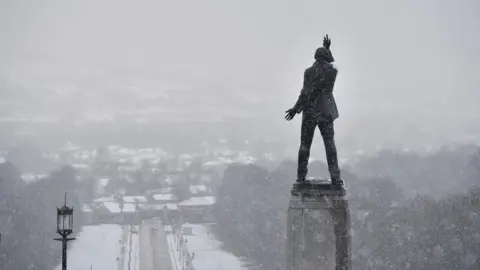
(100,247)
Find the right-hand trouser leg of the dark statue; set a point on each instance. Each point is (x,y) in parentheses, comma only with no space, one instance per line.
(326,128)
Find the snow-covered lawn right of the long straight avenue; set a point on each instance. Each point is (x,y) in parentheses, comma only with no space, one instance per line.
(208,251)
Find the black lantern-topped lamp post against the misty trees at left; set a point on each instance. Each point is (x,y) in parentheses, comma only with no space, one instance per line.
(64,229)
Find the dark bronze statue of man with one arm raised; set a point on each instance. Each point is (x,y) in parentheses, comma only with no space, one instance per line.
(319,109)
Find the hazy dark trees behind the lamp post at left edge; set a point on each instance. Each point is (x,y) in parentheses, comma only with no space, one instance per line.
(28,217)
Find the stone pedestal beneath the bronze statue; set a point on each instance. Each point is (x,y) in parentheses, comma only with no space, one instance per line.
(318,227)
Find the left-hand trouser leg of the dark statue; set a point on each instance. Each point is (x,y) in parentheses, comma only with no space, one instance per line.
(306,138)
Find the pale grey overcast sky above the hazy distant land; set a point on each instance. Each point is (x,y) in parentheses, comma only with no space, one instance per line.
(401,63)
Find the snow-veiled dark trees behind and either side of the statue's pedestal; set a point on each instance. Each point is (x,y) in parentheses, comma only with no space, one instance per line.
(393,228)
